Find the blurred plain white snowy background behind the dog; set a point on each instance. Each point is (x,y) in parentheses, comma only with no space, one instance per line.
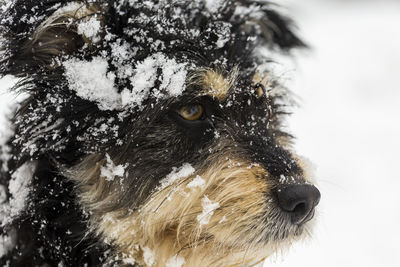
(348,125)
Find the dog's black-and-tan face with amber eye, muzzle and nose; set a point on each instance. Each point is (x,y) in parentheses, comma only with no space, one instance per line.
(201,177)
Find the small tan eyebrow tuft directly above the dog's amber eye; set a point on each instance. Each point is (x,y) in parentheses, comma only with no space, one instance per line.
(214,83)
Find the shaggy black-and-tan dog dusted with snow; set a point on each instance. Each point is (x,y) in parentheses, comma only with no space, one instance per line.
(151,134)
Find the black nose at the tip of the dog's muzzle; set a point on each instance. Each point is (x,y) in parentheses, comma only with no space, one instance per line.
(299,201)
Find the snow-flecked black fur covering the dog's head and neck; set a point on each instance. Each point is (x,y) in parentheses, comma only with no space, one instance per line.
(53,227)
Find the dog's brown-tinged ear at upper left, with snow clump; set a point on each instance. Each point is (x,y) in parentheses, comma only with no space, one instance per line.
(33,41)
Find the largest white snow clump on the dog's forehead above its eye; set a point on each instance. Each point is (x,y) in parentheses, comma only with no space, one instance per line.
(91,80)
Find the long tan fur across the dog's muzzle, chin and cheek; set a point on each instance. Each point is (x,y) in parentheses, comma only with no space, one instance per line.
(167,224)
